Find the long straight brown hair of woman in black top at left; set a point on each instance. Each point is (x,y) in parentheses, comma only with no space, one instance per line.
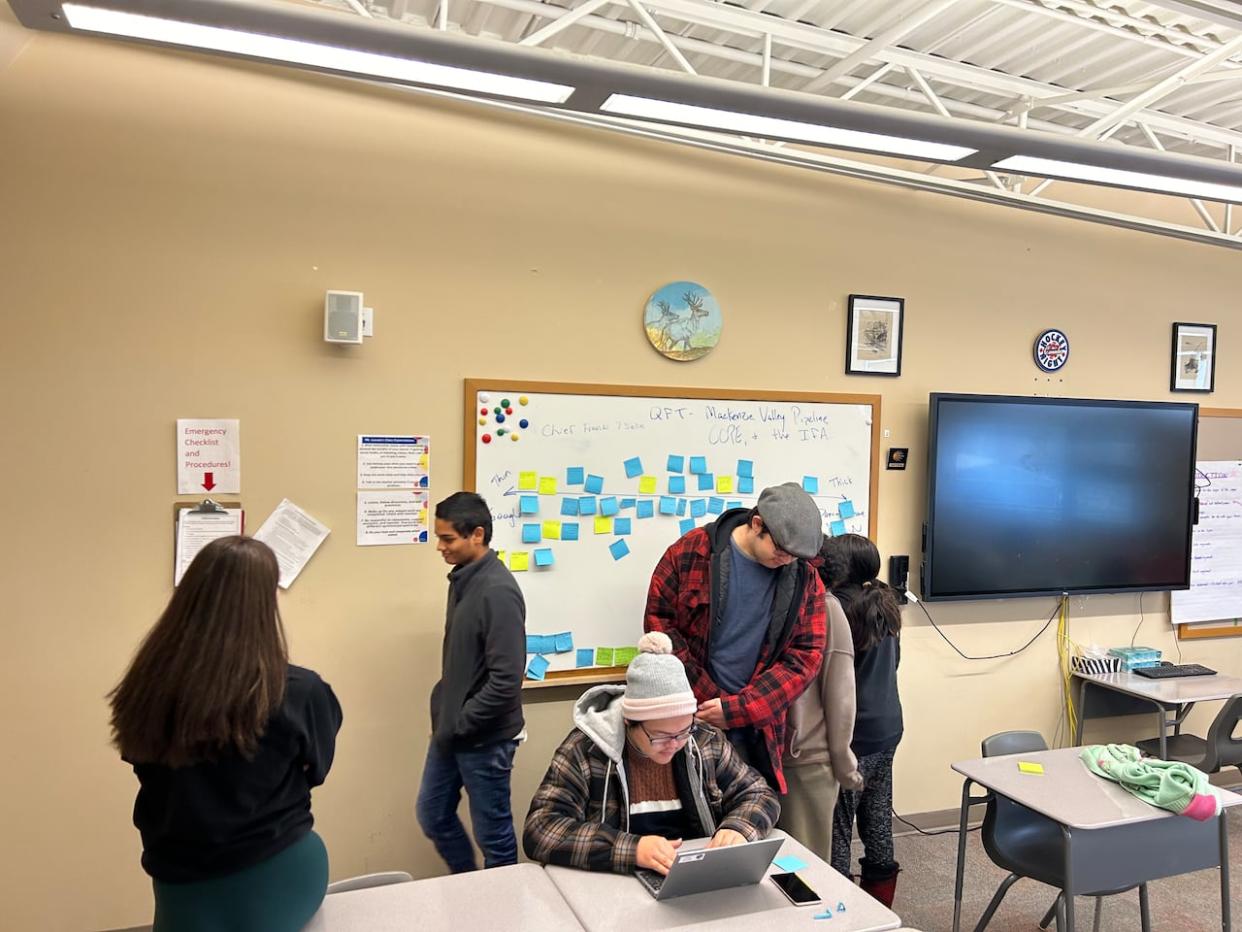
(213,670)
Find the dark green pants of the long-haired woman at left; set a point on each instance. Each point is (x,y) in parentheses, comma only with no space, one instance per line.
(278,895)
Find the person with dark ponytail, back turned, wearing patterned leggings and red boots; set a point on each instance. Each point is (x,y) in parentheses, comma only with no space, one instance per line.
(851,564)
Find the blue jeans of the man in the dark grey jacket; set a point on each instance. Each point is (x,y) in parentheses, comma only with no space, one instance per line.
(485,774)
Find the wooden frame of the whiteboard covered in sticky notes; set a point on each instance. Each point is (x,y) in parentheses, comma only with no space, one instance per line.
(470,462)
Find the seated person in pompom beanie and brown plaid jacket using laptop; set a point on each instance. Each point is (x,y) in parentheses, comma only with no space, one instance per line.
(638,775)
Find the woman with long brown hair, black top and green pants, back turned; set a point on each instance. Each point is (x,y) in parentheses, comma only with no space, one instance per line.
(227,739)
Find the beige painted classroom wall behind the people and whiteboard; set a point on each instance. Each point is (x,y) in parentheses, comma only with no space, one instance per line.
(170,227)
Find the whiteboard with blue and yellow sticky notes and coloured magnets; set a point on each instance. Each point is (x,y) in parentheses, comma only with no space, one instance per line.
(624,438)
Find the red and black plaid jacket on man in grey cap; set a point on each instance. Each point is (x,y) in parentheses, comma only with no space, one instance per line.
(680,605)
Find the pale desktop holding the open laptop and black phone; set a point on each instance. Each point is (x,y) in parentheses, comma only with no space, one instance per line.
(615,903)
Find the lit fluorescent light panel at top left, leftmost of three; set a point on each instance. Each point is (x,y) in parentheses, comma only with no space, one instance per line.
(93,19)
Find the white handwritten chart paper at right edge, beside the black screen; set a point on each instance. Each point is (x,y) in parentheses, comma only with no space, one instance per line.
(1217,547)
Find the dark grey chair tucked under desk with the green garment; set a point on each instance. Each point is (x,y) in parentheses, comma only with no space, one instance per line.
(1031,846)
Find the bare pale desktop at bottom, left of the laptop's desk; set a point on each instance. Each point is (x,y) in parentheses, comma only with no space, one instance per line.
(512,899)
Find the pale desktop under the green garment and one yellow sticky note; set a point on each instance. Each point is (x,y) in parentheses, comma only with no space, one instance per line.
(1066,792)
